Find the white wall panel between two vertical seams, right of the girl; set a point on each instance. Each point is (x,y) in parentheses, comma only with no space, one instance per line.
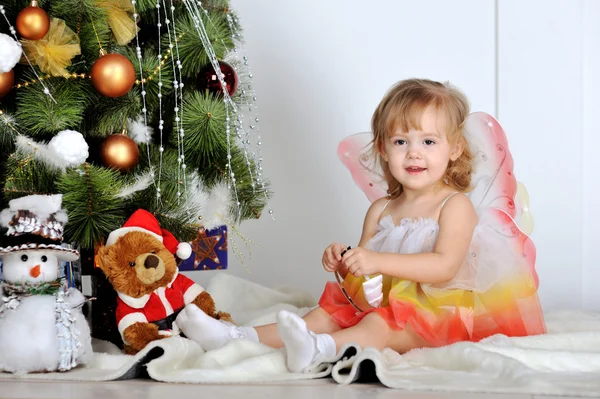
(540,107)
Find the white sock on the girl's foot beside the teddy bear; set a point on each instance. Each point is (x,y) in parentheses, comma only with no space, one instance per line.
(210,333)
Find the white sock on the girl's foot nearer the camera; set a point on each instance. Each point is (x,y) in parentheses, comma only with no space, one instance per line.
(304,347)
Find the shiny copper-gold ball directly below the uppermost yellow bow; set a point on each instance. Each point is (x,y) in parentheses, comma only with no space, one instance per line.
(113,75)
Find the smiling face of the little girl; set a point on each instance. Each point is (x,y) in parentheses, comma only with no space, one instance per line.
(418,159)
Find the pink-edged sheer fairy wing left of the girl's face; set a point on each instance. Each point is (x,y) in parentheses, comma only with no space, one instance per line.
(355,153)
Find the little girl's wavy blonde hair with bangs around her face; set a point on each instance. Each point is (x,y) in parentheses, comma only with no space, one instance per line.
(403,107)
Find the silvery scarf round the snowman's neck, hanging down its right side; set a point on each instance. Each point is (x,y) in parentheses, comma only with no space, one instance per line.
(68,335)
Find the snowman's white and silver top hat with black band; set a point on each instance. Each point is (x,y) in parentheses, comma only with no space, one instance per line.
(36,222)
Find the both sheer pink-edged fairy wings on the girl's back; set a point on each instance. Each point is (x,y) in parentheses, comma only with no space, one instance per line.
(494,184)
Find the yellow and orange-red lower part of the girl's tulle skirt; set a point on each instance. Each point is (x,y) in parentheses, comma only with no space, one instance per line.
(443,315)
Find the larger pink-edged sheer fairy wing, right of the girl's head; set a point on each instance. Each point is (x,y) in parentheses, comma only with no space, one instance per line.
(494,184)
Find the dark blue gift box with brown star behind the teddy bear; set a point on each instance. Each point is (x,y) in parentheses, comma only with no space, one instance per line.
(209,250)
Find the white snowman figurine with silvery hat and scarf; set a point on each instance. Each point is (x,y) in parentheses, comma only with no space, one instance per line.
(42,327)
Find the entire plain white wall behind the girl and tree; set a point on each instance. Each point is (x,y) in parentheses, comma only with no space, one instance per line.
(320,68)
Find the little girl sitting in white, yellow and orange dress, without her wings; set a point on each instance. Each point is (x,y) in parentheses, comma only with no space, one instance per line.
(447,275)
